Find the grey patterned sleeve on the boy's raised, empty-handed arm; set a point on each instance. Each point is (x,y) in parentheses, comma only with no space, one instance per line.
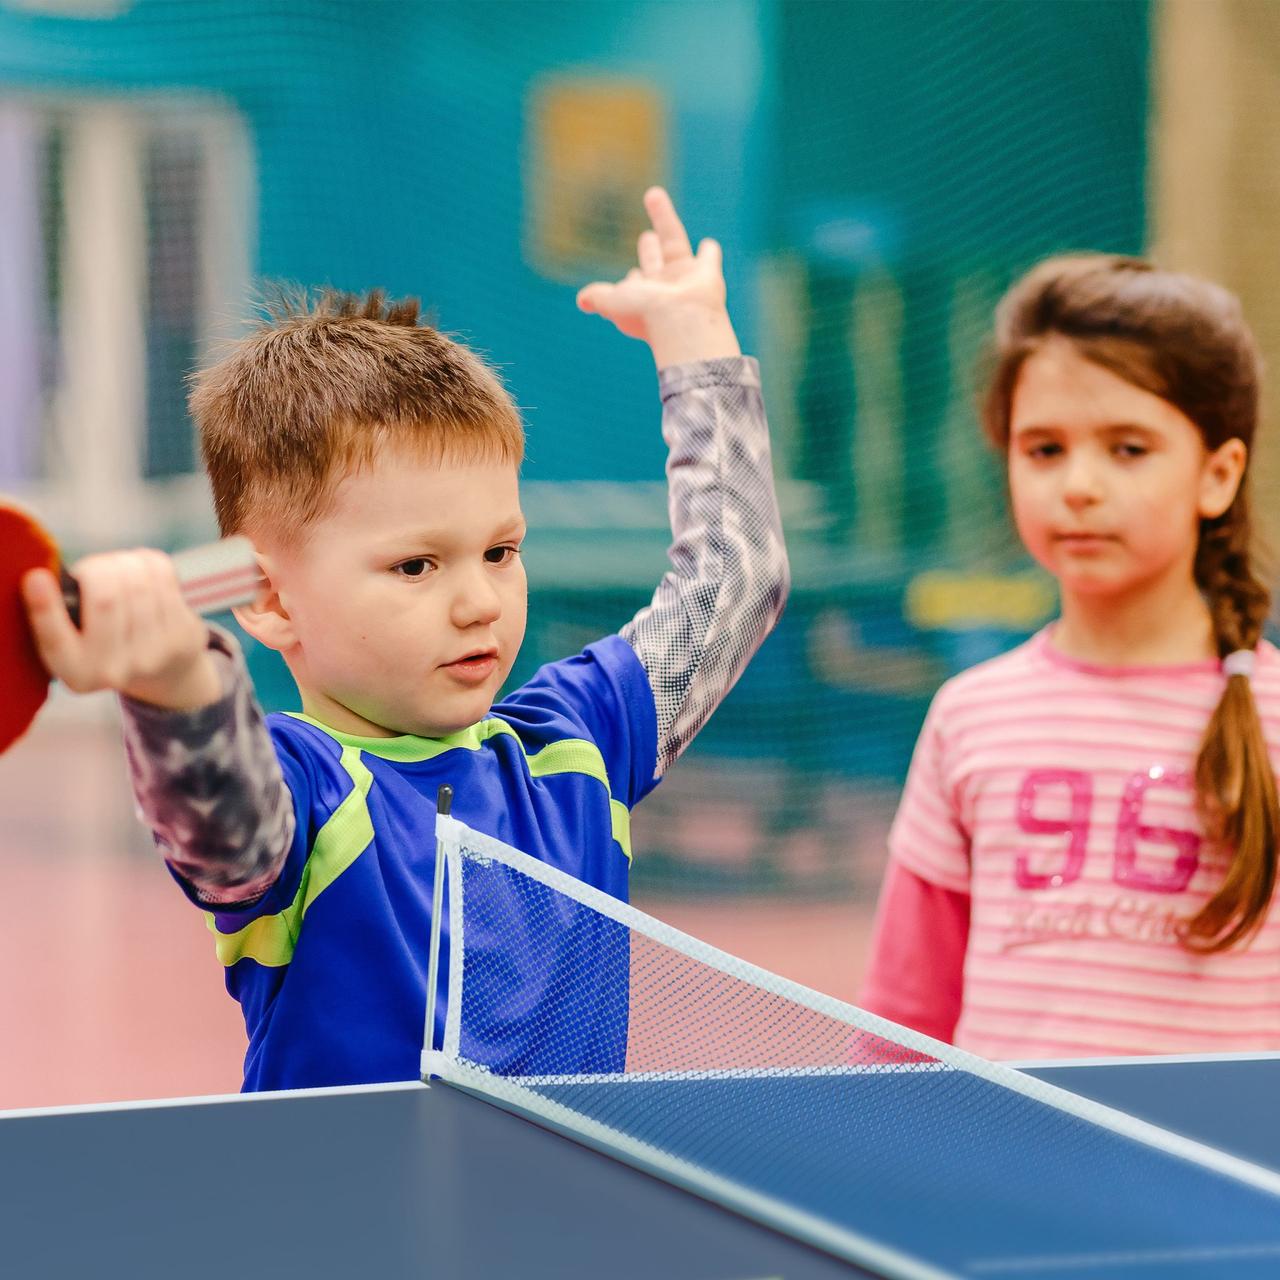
(729,575)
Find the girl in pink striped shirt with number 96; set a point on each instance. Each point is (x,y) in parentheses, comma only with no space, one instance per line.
(1086,851)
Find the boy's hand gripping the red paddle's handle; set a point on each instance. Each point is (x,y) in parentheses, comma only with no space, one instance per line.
(138,636)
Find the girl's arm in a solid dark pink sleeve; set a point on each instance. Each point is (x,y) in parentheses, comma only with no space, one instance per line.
(916,973)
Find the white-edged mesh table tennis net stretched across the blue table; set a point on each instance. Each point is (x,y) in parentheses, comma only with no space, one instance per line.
(803,1112)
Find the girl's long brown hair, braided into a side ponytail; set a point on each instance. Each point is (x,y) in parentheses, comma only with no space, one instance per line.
(1187,342)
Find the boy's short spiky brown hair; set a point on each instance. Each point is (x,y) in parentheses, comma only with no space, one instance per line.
(317,390)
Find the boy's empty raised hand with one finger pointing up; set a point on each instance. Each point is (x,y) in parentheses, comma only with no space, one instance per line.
(675,299)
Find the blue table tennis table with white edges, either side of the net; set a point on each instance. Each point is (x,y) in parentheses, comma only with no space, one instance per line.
(427,1181)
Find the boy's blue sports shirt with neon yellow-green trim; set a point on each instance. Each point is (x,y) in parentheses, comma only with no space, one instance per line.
(555,771)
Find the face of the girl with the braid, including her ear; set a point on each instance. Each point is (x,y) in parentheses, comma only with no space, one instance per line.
(1109,482)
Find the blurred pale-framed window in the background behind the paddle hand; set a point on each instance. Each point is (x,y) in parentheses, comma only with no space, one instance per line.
(125,253)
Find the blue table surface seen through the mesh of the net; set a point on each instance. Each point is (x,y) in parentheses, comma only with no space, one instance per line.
(1012,1186)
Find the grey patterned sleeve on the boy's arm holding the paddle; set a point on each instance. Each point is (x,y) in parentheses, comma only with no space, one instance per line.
(211,788)
